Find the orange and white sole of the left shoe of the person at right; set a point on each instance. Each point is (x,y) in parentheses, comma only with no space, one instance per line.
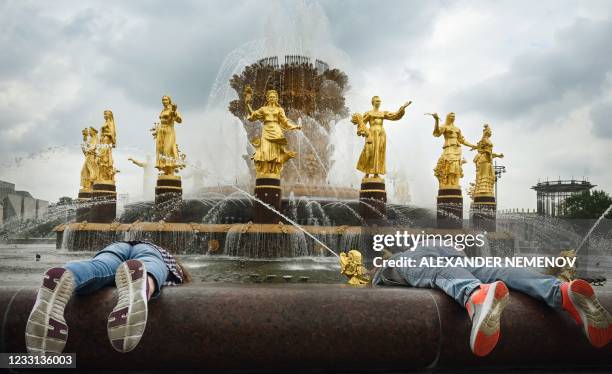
(486,331)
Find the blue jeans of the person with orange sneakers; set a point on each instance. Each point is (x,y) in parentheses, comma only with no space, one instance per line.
(460,282)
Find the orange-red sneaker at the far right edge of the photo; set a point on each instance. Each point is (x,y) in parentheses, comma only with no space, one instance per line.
(580,301)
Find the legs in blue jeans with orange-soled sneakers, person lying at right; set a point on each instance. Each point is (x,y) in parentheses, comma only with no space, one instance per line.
(484,293)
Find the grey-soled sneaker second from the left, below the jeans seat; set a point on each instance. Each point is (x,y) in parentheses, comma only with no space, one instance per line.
(127,321)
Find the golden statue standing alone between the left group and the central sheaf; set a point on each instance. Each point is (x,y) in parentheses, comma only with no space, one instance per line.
(169,158)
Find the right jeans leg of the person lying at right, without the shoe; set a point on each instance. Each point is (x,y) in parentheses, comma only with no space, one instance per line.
(539,286)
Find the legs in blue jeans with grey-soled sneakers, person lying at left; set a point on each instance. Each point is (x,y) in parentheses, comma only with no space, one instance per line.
(138,271)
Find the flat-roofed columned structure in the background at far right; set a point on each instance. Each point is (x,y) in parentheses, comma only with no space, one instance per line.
(551,195)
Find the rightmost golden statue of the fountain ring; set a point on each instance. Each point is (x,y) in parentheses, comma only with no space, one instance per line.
(485,175)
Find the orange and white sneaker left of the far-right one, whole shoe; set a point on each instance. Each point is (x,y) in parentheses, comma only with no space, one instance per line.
(485,307)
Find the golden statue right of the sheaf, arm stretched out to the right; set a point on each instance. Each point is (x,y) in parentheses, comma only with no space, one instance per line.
(372,159)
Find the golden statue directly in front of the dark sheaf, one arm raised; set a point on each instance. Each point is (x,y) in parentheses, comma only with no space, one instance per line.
(270,149)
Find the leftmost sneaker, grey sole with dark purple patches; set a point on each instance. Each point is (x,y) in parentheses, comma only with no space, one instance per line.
(46,329)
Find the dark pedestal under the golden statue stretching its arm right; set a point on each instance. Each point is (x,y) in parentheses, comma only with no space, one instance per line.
(373,200)
